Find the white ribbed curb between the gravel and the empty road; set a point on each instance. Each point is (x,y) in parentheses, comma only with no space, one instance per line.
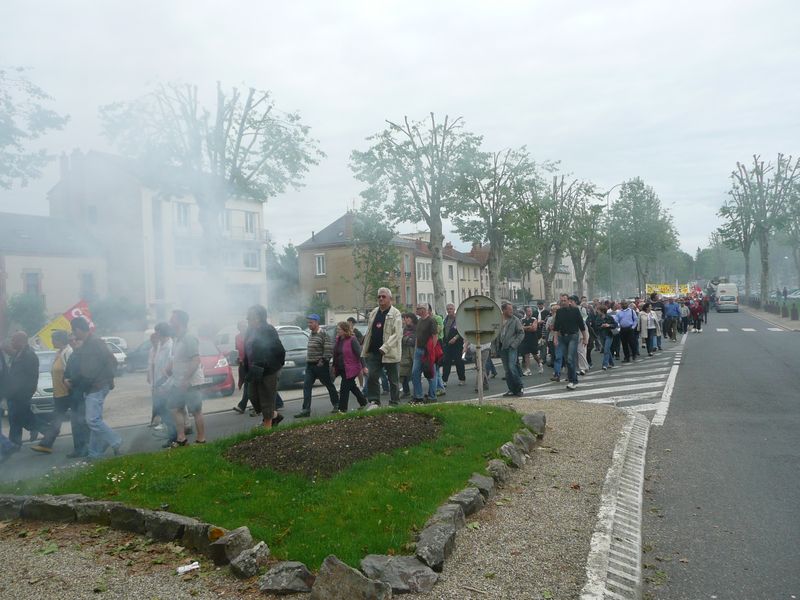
(613,569)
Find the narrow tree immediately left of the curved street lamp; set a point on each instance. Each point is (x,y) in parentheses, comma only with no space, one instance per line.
(586,238)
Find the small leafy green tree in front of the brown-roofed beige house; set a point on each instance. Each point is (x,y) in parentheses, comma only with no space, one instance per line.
(376,259)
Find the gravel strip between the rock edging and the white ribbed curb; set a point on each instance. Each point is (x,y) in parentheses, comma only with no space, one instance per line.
(532,540)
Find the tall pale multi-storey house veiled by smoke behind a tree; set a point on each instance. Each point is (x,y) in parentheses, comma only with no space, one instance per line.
(154,242)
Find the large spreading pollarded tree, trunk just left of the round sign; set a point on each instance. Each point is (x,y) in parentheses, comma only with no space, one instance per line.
(411,168)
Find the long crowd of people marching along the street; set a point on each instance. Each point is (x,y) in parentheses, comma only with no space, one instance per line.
(409,355)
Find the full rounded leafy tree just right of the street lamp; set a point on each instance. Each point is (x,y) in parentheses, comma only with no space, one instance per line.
(640,227)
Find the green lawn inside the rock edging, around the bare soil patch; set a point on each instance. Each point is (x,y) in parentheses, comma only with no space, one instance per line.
(373,505)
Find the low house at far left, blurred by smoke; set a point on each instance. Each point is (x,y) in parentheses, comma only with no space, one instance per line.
(51,258)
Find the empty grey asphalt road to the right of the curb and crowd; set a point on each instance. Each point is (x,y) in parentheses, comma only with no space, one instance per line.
(722,489)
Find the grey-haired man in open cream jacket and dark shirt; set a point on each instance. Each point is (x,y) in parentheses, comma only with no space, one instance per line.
(382,348)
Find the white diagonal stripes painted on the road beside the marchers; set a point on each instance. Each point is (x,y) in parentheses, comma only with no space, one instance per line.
(642,386)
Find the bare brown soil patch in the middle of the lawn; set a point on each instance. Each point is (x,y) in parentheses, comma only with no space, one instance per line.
(324,449)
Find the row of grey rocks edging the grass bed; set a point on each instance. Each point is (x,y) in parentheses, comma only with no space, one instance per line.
(379,575)
